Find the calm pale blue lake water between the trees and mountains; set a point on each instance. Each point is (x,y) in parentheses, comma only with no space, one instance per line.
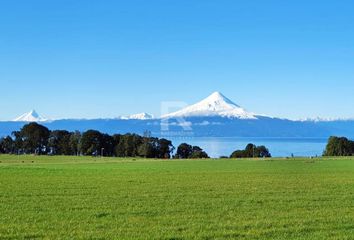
(278,147)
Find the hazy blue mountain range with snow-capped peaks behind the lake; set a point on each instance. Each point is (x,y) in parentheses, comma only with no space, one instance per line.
(215,116)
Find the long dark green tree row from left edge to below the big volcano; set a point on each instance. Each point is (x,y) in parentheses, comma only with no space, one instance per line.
(34,138)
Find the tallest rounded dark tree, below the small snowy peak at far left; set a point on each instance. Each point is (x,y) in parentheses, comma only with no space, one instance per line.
(33,138)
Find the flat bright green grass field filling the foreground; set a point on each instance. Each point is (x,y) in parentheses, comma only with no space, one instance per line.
(87,198)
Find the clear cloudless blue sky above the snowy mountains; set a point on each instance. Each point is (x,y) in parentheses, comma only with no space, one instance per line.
(105,58)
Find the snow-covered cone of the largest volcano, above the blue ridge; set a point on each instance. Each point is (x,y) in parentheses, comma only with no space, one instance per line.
(214,105)
